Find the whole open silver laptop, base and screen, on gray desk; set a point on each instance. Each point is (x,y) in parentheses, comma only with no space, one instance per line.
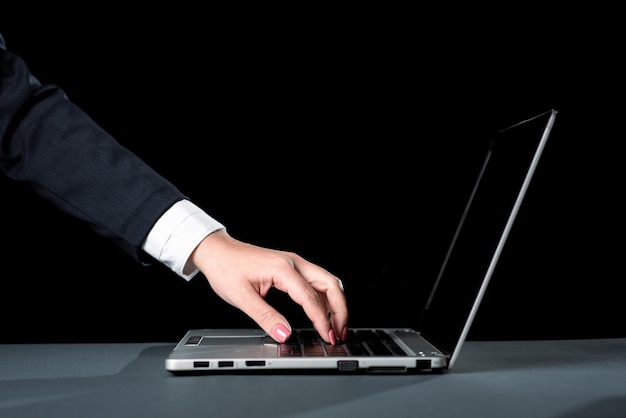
(442,326)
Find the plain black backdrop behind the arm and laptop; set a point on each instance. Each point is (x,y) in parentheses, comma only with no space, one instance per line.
(352,140)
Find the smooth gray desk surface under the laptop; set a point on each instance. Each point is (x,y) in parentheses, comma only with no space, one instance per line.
(580,378)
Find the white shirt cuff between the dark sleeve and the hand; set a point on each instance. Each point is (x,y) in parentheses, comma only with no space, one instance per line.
(177,233)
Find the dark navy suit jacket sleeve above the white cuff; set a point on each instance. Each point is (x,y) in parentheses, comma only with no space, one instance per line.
(52,145)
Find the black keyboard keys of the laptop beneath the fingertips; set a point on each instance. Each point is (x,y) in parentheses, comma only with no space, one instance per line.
(358,343)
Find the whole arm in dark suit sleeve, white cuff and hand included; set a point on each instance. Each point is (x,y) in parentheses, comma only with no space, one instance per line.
(49,143)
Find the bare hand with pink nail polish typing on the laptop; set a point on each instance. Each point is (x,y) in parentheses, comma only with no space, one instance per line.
(242,274)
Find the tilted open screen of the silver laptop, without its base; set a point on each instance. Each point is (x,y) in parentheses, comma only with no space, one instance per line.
(484,225)
